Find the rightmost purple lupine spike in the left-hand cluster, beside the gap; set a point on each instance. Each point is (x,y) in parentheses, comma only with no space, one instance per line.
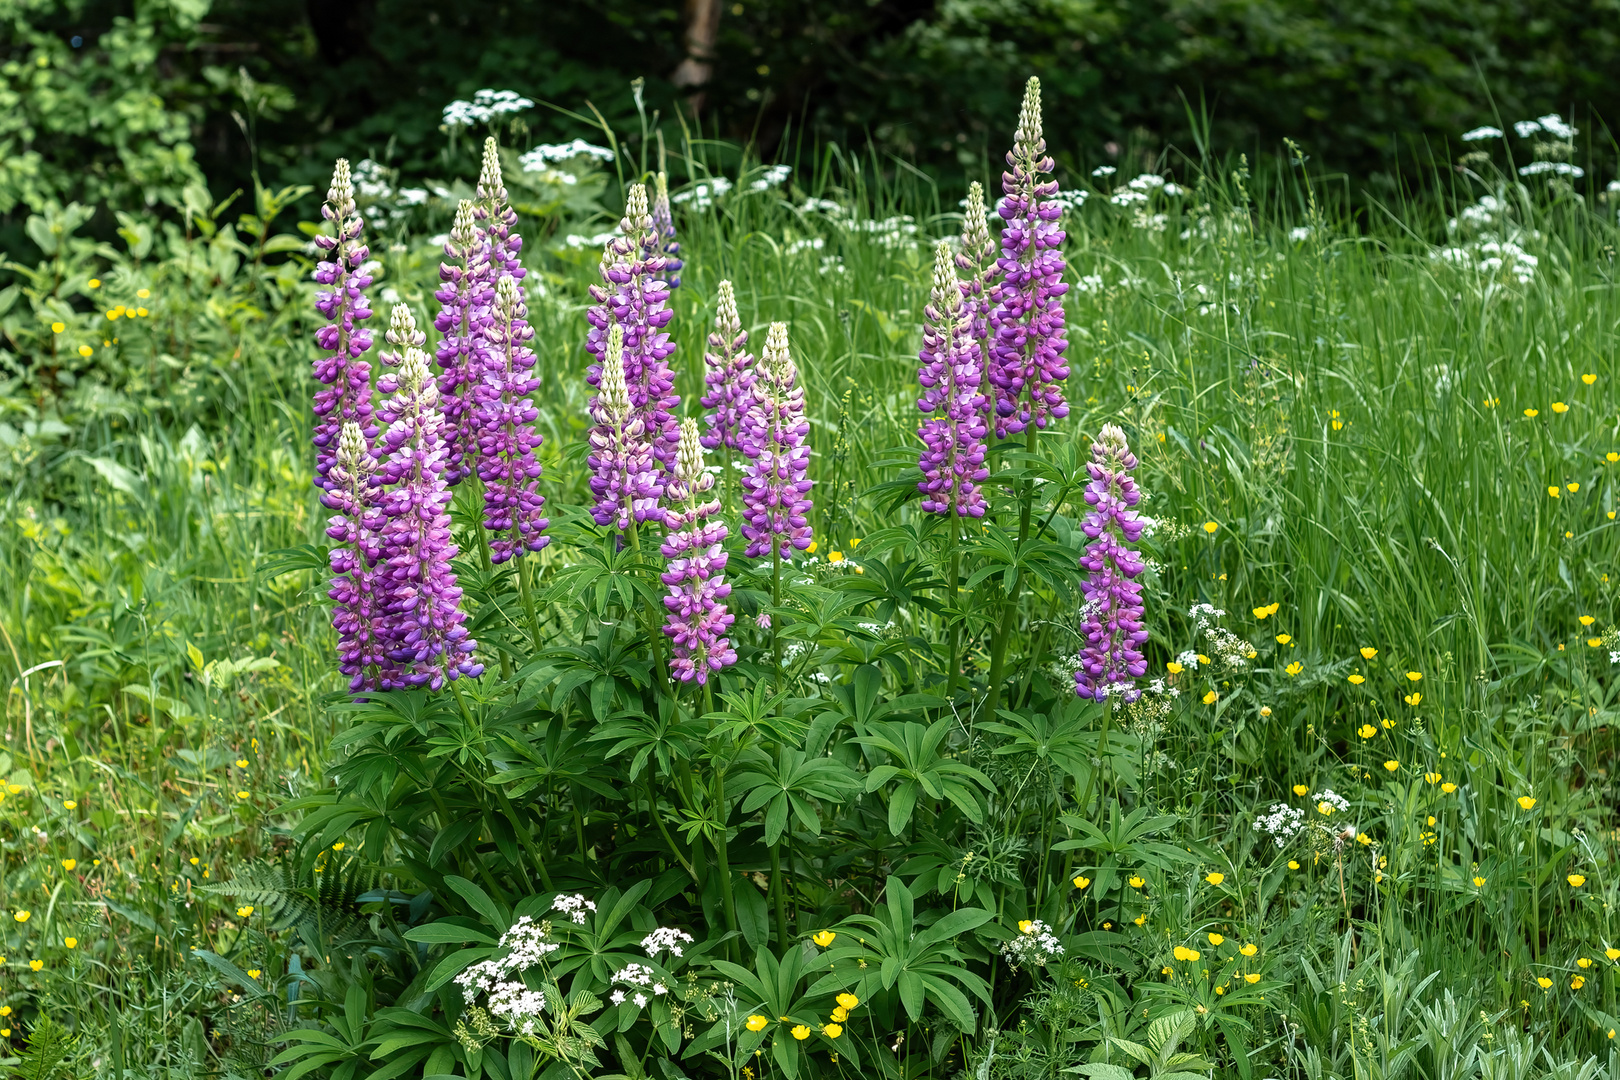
(506,432)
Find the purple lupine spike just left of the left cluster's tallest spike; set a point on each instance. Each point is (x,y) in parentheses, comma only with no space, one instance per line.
(464,302)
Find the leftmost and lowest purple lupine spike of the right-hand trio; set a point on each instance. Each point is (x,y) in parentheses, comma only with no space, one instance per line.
(953,436)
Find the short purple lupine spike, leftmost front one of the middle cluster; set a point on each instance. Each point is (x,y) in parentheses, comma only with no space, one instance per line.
(625,477)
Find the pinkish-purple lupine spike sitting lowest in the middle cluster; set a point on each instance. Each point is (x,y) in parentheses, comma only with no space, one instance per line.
(696,550)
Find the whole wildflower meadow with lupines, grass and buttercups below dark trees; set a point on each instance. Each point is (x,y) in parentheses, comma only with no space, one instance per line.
(628,610)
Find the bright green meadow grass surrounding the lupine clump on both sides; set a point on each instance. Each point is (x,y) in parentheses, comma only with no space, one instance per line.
(1345,410)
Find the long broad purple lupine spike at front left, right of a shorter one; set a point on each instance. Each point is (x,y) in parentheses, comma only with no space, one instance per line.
(427,639)
